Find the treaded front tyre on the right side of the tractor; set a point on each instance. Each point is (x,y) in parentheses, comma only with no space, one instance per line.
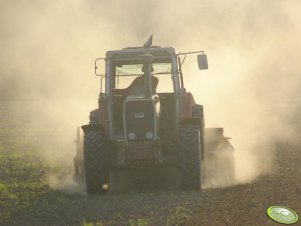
(189,156)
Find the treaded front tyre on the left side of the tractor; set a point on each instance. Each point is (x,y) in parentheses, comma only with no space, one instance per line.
(95,158)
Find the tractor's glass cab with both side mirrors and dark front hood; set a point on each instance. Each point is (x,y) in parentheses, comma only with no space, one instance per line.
(143,85)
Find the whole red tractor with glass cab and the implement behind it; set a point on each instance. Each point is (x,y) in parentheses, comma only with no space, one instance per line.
(138,126)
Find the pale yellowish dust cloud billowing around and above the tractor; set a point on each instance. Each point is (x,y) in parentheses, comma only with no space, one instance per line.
(251,88)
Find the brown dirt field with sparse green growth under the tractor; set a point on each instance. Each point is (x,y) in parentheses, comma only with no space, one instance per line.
(26,197)
